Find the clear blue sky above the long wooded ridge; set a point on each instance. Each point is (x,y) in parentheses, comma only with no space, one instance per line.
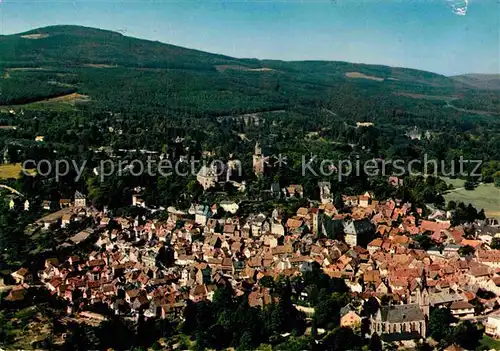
(423,34)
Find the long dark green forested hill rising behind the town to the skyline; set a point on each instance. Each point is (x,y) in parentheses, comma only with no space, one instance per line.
(121,73)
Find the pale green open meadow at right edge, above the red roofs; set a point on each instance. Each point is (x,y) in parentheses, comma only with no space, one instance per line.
(485,196)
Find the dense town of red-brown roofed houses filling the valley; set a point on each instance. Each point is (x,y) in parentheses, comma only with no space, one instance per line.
(155,266)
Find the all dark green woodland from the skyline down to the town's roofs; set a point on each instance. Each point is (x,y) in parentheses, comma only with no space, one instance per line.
(146,95)
